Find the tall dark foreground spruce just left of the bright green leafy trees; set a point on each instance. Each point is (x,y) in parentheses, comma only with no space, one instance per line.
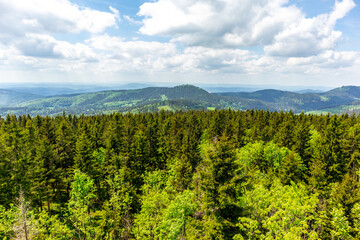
(215,183)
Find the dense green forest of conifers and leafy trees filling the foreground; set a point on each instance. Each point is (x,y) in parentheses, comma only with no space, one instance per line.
(221,174)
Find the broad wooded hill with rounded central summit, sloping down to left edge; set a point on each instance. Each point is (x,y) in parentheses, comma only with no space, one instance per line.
(119,100)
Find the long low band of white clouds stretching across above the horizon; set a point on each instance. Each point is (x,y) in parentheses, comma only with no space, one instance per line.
(105,54)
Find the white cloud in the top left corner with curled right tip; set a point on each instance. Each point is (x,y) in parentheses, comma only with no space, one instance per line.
(51,16)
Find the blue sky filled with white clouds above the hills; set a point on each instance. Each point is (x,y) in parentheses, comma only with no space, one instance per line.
(243,42)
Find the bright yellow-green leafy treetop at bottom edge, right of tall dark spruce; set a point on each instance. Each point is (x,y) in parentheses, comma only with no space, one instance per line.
(281,212)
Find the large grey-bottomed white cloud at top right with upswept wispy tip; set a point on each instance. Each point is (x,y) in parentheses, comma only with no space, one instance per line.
(281,28)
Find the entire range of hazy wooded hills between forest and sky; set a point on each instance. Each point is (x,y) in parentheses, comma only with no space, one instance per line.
(184,97)
